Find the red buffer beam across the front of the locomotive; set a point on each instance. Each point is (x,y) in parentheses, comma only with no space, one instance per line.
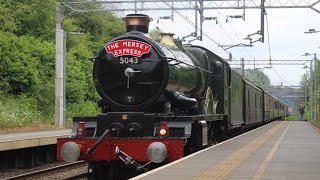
(136,148)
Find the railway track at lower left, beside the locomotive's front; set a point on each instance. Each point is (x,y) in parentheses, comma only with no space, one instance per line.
(68,171)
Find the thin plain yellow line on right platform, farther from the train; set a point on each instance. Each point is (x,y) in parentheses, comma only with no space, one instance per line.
(265,163)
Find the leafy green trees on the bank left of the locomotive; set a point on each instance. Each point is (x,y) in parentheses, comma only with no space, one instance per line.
(27,52)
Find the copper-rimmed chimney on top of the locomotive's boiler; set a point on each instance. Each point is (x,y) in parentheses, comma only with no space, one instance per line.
(137,22)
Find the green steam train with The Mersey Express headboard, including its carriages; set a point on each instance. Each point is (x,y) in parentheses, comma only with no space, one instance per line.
(159,101)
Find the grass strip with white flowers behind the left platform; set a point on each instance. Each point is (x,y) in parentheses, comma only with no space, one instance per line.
(19,113)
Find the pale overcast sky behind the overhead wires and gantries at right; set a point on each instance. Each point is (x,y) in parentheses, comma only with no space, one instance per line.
(286,33)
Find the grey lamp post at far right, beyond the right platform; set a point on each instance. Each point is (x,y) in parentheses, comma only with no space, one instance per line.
(313,82)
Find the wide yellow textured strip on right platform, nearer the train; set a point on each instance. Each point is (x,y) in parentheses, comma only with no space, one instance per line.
(225,167)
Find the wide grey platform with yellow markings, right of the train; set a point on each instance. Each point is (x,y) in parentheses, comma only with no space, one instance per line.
(278,150)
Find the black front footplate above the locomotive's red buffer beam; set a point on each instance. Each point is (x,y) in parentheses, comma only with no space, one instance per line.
(142,123)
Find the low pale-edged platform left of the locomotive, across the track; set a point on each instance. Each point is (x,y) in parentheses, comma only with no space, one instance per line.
(31,139)
